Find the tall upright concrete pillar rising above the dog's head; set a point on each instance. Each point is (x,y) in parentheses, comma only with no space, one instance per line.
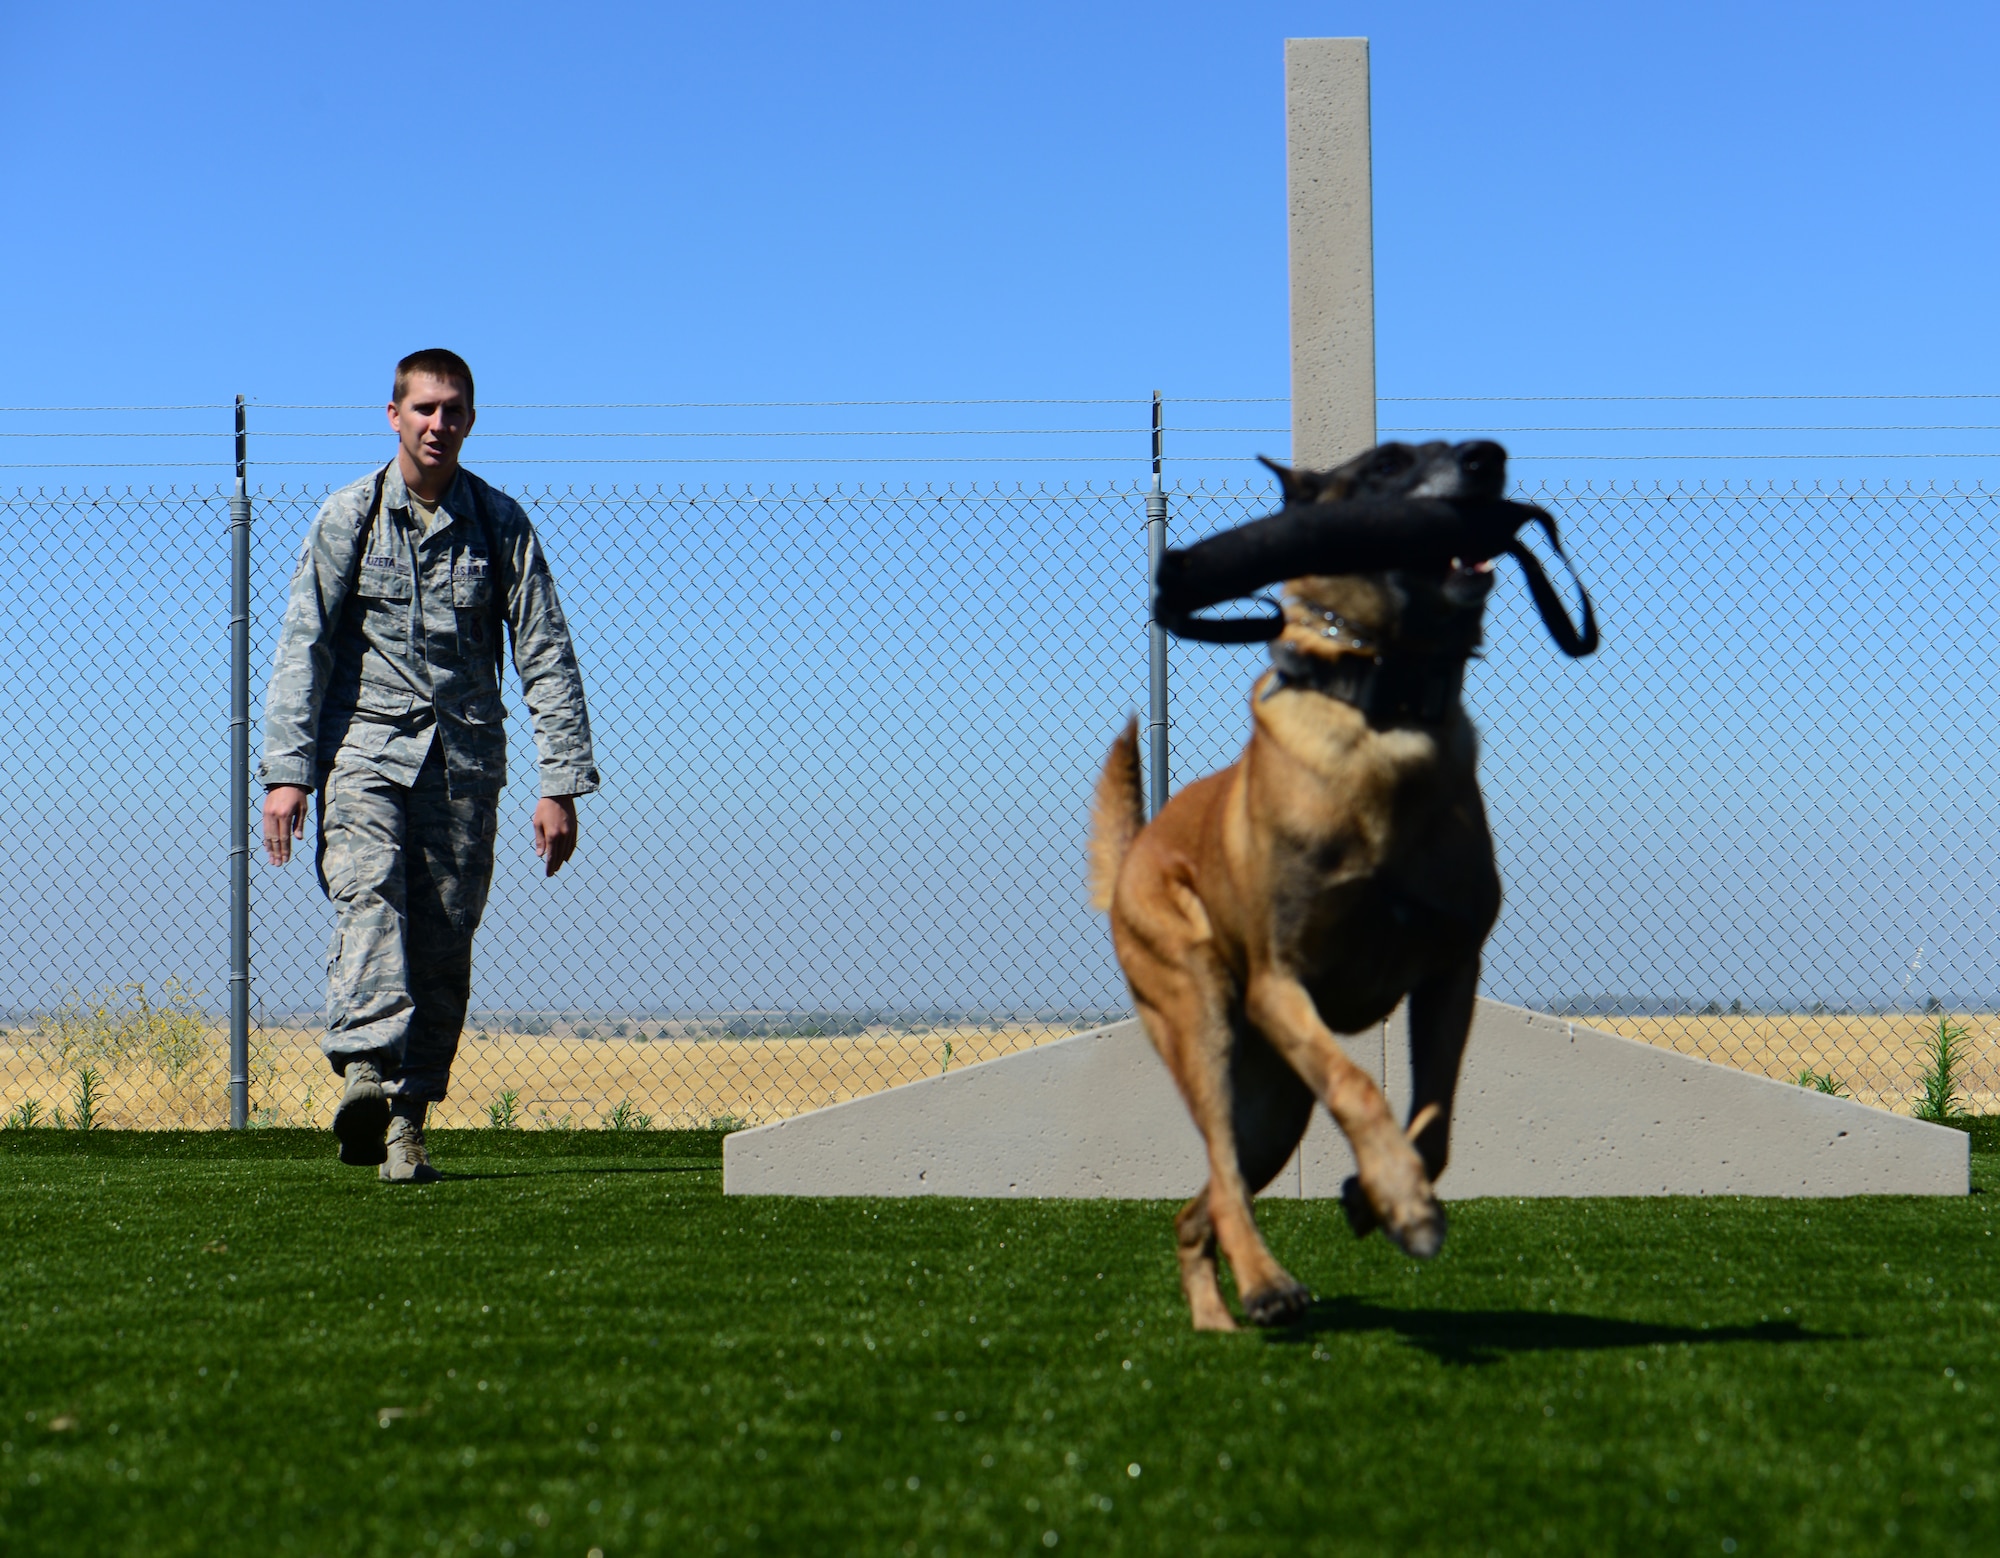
(1331,199)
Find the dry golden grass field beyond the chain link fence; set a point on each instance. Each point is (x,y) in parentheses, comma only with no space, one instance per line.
(563,1079)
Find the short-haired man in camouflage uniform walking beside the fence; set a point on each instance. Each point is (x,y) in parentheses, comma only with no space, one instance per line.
(387,699)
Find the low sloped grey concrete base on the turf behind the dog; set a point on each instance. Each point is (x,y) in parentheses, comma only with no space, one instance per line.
(1545,1109)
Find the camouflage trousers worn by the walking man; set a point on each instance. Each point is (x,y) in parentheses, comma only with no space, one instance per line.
(407,871)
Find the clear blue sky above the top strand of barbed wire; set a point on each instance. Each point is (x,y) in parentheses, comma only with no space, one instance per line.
(775,201)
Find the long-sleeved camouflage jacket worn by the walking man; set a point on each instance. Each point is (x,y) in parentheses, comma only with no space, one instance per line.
(393,641)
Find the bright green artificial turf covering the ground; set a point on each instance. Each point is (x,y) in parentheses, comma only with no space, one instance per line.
(231,1345)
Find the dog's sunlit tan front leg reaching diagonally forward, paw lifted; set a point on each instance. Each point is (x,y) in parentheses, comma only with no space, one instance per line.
(1391,1171)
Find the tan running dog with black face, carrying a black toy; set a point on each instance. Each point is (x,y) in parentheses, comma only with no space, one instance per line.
(1339,867)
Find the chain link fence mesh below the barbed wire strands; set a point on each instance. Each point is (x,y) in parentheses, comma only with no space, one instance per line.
(849,741)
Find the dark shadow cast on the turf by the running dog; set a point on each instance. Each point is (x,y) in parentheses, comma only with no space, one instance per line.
(1485,1337)
